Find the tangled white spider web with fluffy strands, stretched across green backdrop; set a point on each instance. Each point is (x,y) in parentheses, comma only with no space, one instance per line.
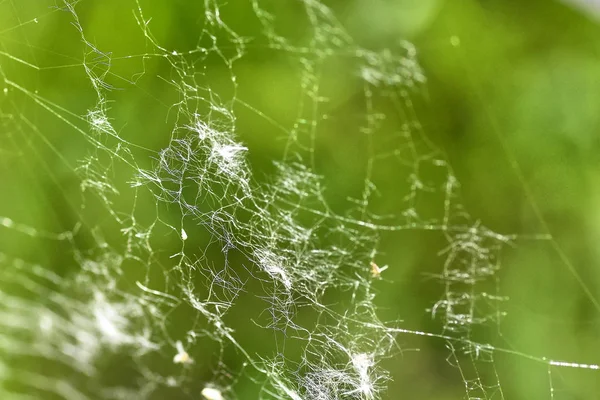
(182,266)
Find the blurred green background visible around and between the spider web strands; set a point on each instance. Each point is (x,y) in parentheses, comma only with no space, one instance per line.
(511,99)
